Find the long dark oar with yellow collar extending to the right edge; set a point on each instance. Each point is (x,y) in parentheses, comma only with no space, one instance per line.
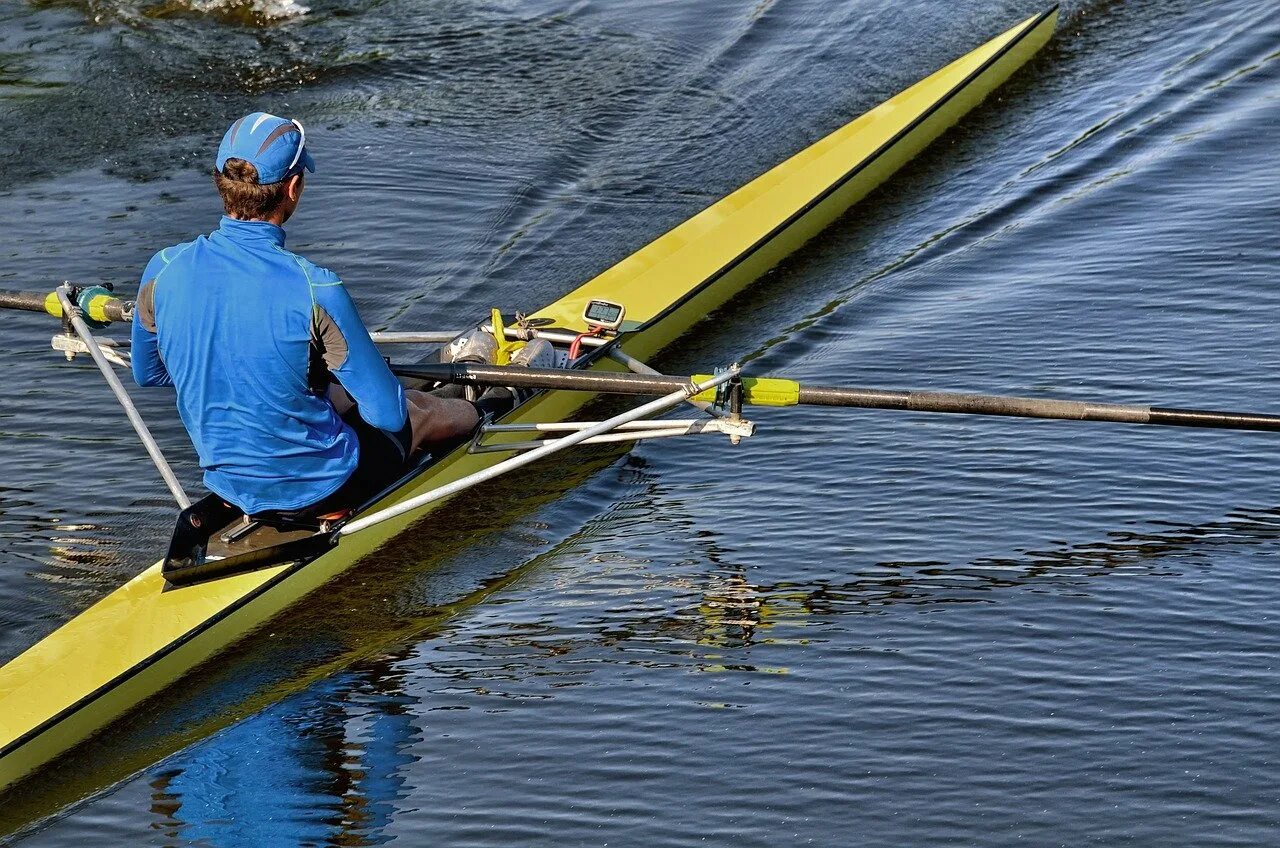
(766,391)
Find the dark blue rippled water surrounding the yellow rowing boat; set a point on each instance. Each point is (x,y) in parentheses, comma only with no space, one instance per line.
(858,628)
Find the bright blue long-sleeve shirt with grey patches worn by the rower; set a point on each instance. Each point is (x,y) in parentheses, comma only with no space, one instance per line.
(249,334)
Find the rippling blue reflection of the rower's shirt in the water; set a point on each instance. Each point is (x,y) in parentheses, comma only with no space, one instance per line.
(322,769)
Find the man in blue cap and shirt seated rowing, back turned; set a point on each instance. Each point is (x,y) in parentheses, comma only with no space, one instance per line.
(286,399)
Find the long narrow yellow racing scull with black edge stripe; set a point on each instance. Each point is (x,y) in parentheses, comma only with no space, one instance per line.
(153,631)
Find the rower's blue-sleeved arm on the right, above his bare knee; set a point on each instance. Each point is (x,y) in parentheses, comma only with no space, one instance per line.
(350,354)
